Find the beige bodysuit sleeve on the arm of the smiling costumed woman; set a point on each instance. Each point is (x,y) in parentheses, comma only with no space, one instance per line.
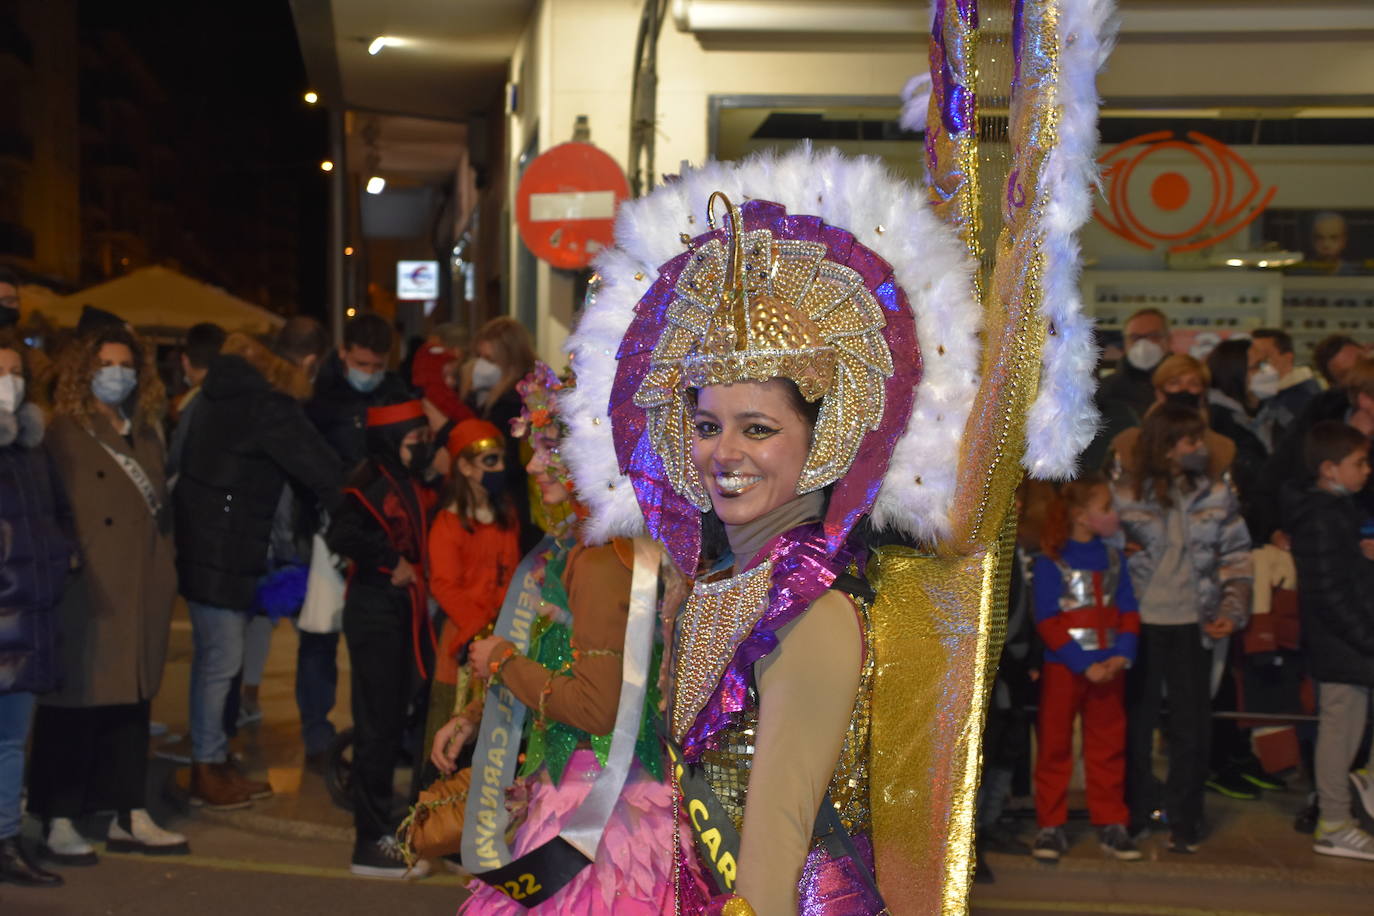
(807,690)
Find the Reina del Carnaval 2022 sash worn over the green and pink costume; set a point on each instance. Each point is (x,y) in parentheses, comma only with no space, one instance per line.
(542,873)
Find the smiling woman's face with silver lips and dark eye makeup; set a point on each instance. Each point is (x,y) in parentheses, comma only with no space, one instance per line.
(751,446)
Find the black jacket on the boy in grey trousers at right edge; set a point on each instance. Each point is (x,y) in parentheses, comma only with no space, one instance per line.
(1335,586)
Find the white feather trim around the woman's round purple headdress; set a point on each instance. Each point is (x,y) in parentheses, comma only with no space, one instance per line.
(884,214)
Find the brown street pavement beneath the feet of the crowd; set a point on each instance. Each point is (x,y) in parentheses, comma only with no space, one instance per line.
(291,855)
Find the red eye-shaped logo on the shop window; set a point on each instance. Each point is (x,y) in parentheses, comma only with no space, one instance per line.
(1153,203)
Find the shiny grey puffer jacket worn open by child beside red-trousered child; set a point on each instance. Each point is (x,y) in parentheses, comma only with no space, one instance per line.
(1219,543)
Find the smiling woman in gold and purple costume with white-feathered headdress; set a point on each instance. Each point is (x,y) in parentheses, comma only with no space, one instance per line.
(836,358)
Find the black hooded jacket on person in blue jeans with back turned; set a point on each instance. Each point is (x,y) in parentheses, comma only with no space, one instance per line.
(247,442)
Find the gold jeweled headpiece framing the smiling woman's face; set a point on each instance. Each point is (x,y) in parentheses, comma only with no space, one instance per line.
(754,308)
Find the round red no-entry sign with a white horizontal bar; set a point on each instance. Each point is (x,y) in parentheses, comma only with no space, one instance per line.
(567,201)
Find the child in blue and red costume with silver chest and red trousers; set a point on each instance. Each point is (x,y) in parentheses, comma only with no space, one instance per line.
(1086,615)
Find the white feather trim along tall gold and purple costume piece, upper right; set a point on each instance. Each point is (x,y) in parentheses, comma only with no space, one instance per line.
(1064,418)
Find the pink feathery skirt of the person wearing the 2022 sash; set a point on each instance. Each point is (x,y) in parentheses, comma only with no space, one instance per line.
(633,873)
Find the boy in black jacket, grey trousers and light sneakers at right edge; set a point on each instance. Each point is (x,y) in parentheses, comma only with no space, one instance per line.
(1335,561)
